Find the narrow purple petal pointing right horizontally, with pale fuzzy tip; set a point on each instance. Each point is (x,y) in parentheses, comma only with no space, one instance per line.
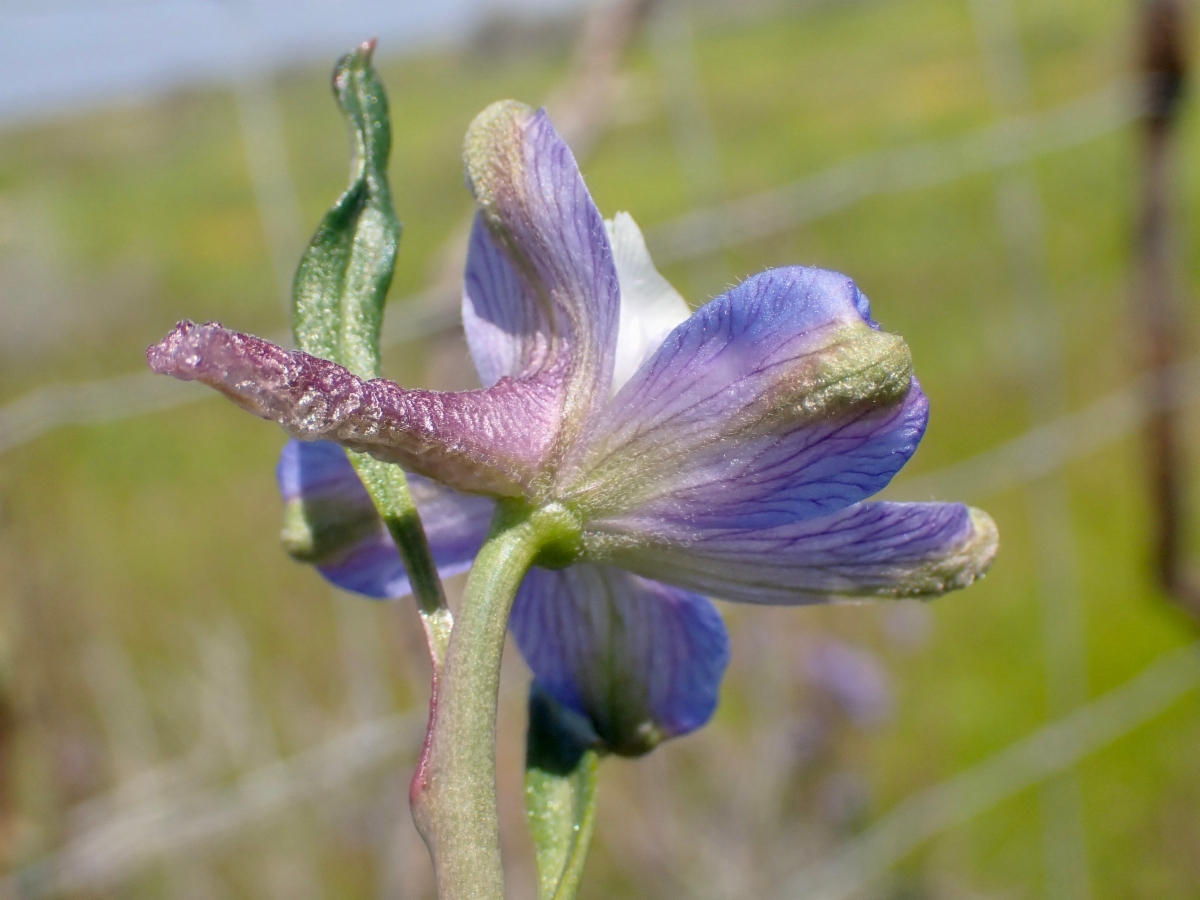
(868,550)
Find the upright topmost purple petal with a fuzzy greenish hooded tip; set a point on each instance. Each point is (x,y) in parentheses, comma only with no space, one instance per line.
(557,302)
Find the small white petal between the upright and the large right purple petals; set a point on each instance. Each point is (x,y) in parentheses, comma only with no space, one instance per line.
(650,307)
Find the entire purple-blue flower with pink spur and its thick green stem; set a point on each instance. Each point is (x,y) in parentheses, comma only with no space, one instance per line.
(631,458)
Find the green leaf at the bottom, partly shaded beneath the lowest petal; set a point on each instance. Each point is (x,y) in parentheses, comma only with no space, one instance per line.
(562,766)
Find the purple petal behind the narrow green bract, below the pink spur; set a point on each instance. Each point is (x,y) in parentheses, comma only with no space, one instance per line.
(320,477)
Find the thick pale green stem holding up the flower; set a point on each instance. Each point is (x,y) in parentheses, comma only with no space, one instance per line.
(454,791)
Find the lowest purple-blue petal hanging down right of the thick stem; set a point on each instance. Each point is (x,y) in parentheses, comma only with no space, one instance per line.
(640,659)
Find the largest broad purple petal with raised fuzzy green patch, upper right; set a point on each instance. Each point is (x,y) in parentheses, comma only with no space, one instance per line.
(776,403)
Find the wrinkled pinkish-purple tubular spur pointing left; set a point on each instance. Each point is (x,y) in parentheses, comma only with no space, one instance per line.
(487,442)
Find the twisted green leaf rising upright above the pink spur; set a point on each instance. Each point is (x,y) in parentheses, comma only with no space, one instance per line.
(345,274)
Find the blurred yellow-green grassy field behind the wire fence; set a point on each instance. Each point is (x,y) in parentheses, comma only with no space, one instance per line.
(158,638)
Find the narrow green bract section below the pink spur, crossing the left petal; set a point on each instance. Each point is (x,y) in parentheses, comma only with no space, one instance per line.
(389,491)
